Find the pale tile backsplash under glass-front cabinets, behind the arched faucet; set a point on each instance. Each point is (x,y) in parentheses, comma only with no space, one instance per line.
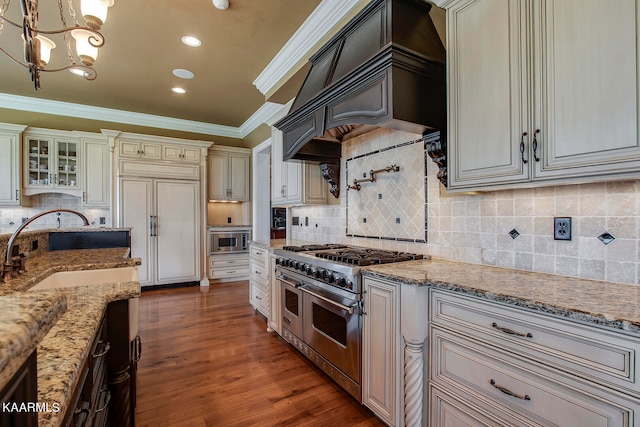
(11,218)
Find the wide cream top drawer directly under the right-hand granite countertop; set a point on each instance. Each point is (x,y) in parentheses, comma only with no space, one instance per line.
(597,354)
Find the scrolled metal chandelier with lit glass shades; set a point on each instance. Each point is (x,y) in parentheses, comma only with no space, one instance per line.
(37,47)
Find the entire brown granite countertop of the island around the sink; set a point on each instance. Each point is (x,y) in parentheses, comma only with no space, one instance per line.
(64,338)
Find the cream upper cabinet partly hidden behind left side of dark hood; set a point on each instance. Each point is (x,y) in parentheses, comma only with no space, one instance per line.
(294,183)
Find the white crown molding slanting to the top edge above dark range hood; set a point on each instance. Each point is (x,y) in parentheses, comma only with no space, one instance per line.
(317,26)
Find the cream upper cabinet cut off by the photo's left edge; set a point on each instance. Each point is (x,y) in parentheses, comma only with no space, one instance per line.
(10,189)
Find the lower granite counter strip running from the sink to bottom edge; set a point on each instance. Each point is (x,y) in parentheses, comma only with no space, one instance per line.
(63,351)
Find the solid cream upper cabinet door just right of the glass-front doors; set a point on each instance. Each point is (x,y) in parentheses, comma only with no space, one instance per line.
(96,174)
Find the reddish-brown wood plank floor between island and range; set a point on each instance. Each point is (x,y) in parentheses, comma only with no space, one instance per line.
(207,360)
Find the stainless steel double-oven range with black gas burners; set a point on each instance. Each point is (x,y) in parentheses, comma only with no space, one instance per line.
(322,304)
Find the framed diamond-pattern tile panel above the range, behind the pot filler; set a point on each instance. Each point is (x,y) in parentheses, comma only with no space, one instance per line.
(392,207)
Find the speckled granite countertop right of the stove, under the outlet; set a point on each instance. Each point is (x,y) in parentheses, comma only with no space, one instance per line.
(610,304)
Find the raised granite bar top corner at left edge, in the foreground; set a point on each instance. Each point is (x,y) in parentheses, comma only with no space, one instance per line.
(25,319)
